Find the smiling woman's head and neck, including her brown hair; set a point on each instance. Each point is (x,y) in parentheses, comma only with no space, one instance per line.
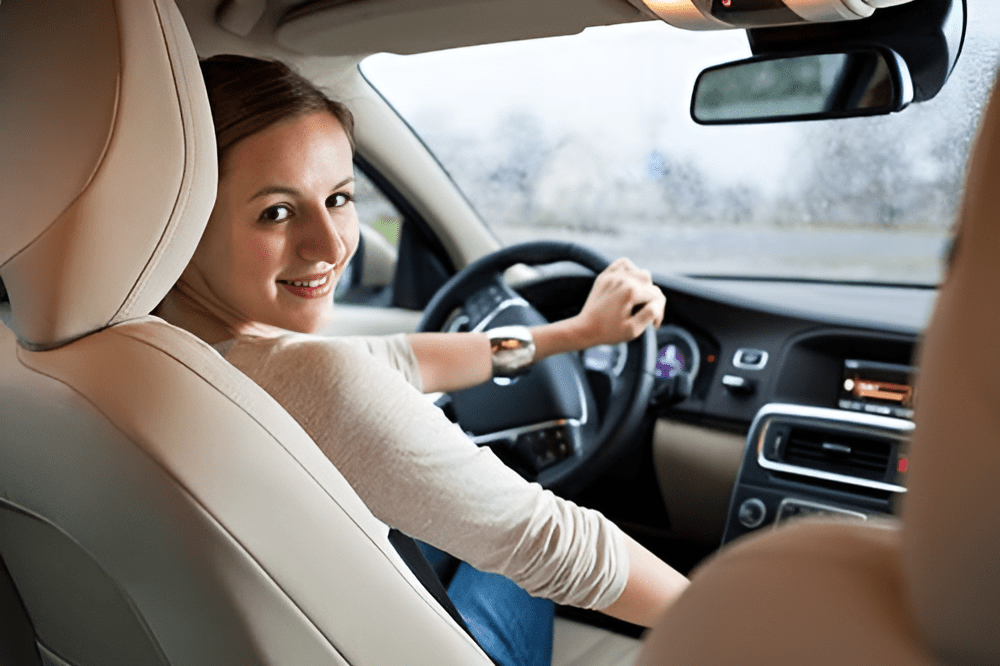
(280,234)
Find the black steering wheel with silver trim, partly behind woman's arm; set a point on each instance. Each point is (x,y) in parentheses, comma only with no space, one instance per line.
(565,419)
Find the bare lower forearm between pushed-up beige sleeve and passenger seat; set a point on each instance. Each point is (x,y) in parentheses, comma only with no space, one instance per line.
(652,586)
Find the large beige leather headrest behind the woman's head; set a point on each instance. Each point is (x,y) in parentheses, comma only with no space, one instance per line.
(108,162)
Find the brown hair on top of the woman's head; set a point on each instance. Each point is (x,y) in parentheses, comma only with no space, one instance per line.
(248,95)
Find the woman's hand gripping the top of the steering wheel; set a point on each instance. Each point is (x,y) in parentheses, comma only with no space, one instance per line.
(621,304)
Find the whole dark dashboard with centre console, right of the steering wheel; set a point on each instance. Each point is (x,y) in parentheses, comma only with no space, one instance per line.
(821,373)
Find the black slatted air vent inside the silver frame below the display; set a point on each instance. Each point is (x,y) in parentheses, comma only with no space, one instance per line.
(838,453)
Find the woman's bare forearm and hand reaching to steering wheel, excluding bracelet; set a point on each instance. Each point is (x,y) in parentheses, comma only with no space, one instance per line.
(622,302)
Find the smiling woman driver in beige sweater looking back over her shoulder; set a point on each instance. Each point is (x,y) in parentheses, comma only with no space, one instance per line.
(281,232)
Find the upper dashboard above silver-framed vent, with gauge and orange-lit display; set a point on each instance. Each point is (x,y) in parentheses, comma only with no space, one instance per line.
(749,343)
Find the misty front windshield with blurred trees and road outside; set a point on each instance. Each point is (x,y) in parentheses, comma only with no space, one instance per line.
(588,138)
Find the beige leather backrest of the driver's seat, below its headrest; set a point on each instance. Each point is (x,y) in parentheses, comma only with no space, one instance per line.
(223,524)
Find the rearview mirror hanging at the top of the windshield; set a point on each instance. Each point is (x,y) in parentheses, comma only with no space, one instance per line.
(860,82)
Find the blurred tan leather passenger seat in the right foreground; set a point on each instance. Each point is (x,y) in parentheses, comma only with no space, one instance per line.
(925,592)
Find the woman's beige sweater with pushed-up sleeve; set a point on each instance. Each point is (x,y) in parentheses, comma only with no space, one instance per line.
(360,401)
